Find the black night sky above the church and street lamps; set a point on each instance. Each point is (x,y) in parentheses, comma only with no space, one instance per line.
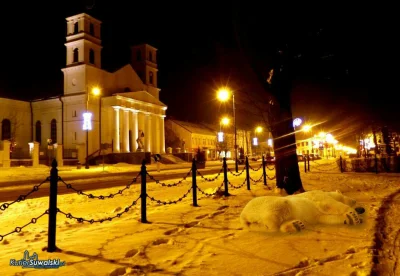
(347,57)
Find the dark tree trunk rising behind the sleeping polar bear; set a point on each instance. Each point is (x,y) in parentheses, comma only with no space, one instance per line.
(279,86)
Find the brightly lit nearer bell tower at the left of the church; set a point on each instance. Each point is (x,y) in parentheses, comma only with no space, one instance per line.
(83,46)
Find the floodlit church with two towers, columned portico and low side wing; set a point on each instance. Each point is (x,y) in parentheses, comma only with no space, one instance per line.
(117,111)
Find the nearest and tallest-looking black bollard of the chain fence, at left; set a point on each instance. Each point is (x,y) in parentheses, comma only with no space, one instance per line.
(51,243)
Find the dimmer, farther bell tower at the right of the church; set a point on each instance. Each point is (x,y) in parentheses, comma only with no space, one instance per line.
(144,62)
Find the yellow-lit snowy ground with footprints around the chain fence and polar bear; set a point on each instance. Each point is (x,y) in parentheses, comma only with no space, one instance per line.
(206,240)
